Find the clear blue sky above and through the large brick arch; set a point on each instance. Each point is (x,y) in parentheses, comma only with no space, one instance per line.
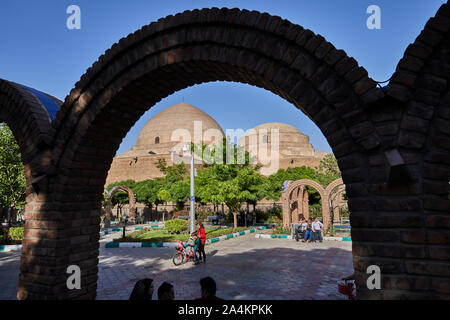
(37,50)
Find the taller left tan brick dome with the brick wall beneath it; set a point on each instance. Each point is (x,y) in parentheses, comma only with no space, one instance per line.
(158,140)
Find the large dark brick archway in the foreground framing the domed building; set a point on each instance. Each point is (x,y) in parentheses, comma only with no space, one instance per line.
(392,149)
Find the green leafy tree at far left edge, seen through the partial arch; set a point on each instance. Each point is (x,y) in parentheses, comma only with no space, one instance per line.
(12,175)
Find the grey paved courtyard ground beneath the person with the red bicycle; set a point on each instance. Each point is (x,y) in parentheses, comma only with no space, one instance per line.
(244,268)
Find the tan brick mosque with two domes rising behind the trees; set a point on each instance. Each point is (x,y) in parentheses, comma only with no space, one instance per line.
(163,135)
